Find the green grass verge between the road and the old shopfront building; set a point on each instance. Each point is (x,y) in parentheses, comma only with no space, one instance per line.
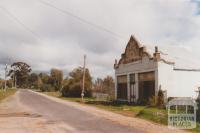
(149,113)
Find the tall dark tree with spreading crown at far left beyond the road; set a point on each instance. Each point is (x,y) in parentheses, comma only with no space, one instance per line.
(21,71)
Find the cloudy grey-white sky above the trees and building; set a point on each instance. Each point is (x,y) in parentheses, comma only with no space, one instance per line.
(57,33)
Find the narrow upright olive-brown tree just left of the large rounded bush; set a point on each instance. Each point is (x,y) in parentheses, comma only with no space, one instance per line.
(56,79)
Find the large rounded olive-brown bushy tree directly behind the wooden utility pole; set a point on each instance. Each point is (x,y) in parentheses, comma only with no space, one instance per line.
(73,87)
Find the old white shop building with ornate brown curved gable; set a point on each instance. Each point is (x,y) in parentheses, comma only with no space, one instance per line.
(143,70)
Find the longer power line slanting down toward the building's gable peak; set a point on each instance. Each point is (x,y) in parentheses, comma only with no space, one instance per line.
(81,19)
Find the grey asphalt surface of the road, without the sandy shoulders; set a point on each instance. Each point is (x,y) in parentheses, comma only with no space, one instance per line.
(77,121)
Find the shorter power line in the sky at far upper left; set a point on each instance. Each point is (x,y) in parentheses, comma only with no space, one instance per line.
(20,22)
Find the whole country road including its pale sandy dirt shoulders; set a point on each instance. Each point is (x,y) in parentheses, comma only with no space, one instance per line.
(33,112)
